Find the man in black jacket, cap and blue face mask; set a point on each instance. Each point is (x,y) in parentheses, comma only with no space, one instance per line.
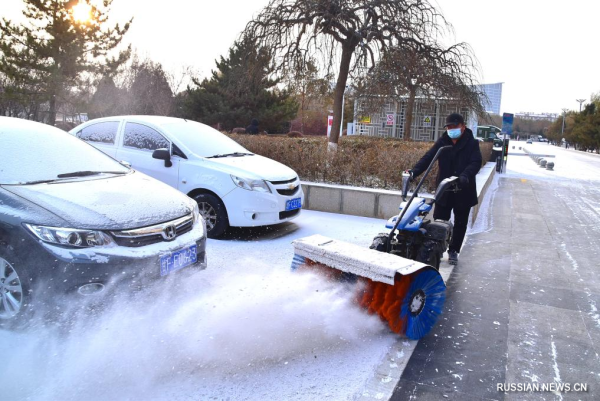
(463,161)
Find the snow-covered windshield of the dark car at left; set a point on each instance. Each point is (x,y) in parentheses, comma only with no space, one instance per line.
(33,153)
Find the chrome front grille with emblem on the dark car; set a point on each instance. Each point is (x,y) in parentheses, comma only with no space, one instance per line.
(155,233)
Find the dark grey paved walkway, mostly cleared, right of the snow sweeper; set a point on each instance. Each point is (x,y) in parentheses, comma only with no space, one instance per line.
(522,303)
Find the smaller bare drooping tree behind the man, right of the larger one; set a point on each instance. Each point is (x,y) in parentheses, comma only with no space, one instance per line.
(406,71)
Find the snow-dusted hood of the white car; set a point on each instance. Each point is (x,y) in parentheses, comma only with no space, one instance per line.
(255,167)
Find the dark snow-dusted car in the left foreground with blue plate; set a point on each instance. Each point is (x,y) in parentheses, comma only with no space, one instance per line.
(74,220)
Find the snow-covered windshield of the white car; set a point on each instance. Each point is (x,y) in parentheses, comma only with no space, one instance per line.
(203,140)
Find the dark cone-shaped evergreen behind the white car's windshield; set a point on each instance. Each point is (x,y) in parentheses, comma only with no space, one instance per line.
(240,89)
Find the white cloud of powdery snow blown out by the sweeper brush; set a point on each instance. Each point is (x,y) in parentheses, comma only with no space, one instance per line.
(231,325)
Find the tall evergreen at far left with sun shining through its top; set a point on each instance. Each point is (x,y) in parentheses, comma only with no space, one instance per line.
(51,53)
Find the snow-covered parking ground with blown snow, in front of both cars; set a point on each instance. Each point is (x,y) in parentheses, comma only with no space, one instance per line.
(245,328)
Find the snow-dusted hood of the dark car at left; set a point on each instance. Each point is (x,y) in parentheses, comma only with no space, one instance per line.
(116,203)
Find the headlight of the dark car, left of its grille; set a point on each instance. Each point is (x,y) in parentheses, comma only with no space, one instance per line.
(70,237)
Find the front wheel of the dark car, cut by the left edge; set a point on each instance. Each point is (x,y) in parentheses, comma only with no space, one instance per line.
(14,291)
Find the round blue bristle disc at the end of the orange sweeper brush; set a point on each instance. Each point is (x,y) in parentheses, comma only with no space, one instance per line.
(423,303)
